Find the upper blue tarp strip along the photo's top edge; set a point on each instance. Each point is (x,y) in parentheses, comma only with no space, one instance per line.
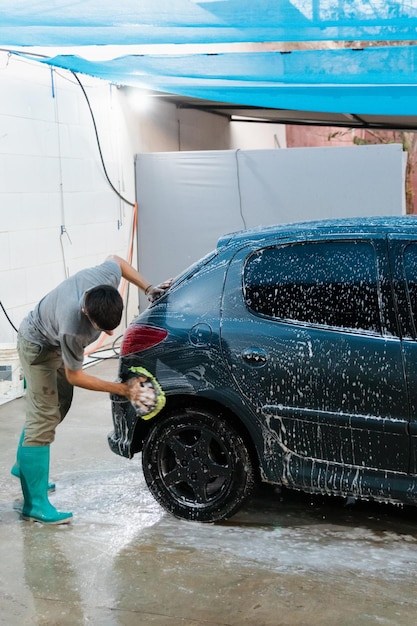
(97,22)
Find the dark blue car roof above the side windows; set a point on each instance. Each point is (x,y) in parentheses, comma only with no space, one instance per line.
(379,224)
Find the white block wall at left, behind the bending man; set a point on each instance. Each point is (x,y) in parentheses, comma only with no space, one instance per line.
(51,181)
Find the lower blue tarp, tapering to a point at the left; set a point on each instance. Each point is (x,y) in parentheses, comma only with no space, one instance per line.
(381,81)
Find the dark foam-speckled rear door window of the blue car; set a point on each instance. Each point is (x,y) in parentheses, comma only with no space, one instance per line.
(331,283)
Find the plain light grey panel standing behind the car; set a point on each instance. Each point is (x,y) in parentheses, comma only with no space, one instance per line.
(188,199)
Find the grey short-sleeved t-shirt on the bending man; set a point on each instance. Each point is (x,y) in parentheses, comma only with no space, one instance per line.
(57,321)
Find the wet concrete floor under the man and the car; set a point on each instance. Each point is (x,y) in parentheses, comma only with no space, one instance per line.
(283,560)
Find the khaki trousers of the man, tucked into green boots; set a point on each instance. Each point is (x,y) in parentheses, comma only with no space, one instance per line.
(48,393)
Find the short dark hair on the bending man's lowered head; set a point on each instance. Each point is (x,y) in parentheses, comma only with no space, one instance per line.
(104,306)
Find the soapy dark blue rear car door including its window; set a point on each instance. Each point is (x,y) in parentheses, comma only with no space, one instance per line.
(310,335)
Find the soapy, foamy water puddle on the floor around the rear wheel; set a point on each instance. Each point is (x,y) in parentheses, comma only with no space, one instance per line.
(113,509)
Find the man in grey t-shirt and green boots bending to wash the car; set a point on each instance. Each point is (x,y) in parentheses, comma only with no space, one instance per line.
(51,343)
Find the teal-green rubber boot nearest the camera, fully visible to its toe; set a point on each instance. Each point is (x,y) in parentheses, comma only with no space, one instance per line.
(34,471)
